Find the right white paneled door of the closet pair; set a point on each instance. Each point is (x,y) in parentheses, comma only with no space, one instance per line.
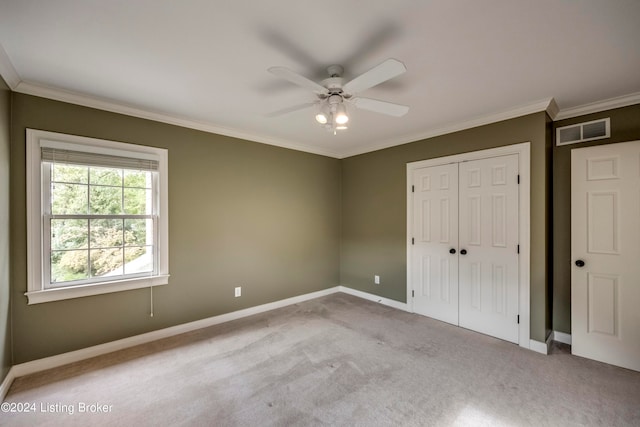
(488,267)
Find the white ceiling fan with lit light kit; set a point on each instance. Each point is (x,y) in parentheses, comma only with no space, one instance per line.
(333,93)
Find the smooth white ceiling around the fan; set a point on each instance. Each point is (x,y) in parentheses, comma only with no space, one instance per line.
(203,63)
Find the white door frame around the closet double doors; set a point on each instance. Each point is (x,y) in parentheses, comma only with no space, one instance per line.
(524,206)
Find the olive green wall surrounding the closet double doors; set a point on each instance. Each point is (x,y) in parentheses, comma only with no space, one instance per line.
(374,210)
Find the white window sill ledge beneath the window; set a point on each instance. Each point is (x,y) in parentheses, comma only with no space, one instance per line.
(58,294)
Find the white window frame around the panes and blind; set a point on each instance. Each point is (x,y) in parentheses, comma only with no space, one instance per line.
(37,242)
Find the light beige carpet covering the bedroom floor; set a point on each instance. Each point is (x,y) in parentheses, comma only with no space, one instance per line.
(337,360)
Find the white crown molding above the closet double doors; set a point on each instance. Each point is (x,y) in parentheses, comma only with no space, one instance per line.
(535,107)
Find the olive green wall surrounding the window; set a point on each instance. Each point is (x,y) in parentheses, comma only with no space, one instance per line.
(240,214)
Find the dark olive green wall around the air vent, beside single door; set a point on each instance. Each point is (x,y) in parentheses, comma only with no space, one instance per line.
(625,126)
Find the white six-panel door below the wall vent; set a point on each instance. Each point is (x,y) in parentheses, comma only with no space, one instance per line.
(605,246)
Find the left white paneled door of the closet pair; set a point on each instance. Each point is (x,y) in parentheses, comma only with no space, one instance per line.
(435,225)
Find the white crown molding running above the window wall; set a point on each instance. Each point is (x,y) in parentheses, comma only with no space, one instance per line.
(115,107)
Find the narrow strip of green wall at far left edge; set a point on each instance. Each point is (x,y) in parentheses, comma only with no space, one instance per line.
(5,311)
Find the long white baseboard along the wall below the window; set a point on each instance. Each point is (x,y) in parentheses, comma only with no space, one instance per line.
(97,350)
